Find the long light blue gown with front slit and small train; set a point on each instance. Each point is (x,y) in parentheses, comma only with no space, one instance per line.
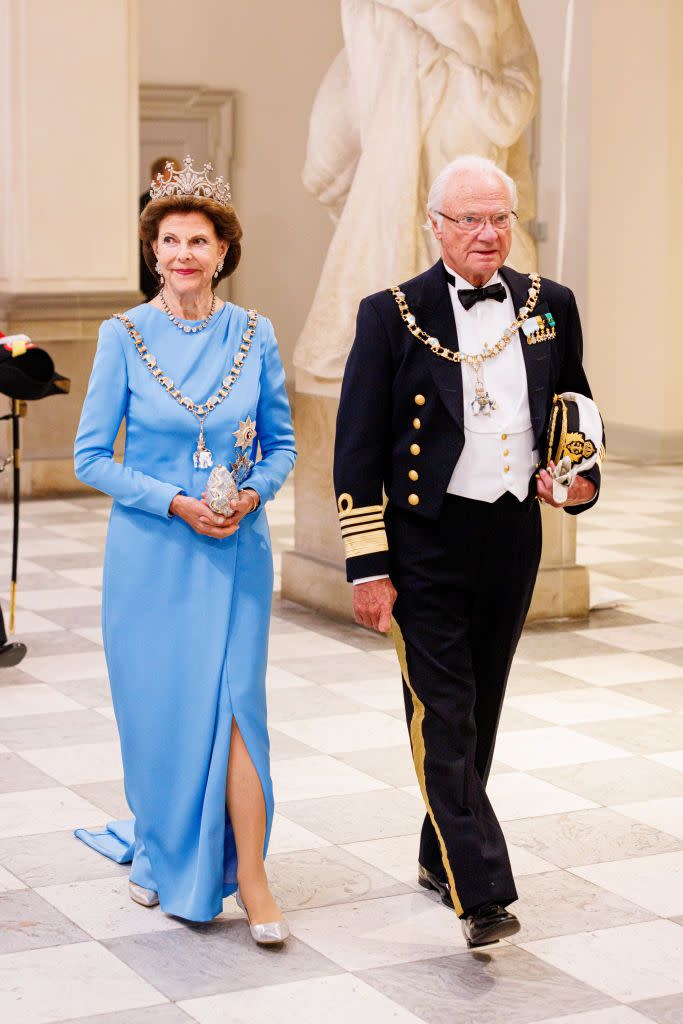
(185,618)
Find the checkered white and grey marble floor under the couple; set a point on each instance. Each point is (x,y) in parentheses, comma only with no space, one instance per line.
(588,782)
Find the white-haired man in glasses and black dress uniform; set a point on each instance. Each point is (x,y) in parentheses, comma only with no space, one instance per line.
(445,406)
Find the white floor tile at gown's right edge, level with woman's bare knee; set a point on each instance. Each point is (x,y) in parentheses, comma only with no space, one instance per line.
(307,779)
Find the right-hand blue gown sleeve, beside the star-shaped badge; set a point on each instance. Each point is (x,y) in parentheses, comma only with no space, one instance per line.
(274,423)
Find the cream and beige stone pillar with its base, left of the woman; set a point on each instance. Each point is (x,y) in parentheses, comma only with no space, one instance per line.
(69,133)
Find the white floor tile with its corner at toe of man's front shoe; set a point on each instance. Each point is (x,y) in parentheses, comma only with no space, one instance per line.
(630,963)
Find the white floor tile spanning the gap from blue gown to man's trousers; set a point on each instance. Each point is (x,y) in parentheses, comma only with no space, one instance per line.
(343,734)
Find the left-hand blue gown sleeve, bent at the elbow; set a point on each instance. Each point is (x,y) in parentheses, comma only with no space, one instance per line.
(103,413)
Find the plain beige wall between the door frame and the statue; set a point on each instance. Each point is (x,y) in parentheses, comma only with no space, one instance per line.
(275,56)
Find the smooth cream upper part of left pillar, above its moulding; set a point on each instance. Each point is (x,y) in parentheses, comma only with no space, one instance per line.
(69,103)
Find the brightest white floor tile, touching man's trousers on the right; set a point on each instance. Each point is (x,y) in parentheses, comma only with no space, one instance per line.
(527,750)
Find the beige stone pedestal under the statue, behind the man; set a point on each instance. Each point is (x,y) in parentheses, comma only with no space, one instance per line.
(314,573)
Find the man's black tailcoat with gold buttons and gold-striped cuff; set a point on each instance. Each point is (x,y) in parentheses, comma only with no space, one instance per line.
(390,373)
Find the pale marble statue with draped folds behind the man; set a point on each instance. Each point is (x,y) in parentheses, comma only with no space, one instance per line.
(418,83)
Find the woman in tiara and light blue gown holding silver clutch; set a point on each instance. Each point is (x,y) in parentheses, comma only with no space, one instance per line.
(188,592)
